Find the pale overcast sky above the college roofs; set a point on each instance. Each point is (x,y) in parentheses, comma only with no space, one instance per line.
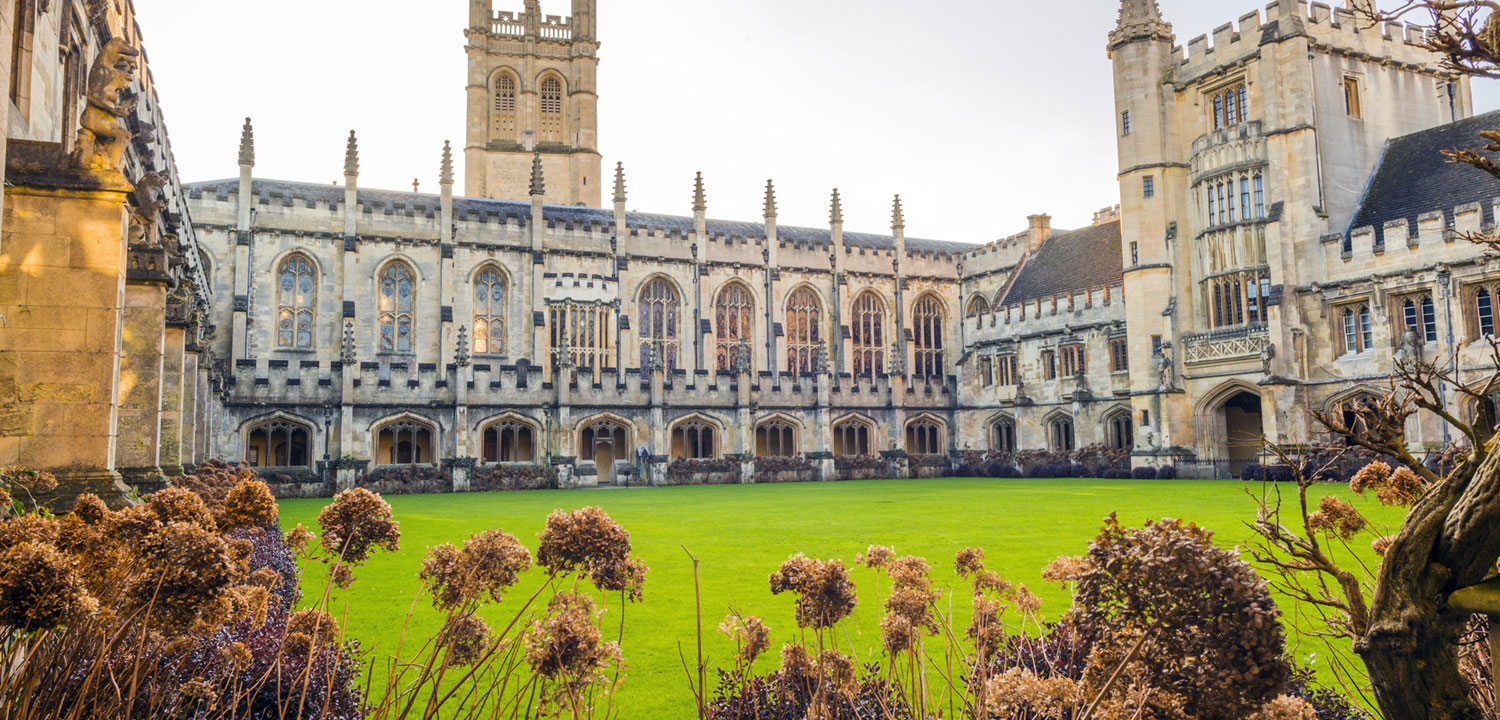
(979,113)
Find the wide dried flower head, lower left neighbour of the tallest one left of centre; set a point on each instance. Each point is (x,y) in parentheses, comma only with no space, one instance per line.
(488,565)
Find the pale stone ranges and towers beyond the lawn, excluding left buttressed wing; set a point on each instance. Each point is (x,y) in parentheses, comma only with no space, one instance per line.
(400,328)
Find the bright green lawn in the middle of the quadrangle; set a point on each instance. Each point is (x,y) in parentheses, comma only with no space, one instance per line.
(743,533)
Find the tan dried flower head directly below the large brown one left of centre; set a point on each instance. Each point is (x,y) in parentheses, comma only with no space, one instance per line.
(568,643)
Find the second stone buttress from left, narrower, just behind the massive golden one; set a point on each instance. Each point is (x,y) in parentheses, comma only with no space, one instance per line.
(143,340)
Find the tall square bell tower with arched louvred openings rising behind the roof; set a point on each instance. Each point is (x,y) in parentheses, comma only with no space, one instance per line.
(533,92)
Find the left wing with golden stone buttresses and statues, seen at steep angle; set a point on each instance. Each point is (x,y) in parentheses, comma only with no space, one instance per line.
(106,379)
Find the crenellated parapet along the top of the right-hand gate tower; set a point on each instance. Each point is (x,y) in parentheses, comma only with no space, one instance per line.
(1333,29)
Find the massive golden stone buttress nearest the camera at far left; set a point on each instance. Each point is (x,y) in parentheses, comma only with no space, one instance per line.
(62,286)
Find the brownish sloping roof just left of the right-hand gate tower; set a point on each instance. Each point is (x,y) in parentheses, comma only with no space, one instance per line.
(1076,262)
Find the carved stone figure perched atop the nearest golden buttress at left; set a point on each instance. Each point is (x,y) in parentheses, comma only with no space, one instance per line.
(101,136)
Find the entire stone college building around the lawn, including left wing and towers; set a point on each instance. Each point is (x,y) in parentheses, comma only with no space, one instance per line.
(1286,232)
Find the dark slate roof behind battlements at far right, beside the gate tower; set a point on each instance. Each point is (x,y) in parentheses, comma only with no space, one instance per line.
(1415,179)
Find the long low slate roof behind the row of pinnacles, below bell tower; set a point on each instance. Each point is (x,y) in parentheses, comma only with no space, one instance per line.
(479,209)
